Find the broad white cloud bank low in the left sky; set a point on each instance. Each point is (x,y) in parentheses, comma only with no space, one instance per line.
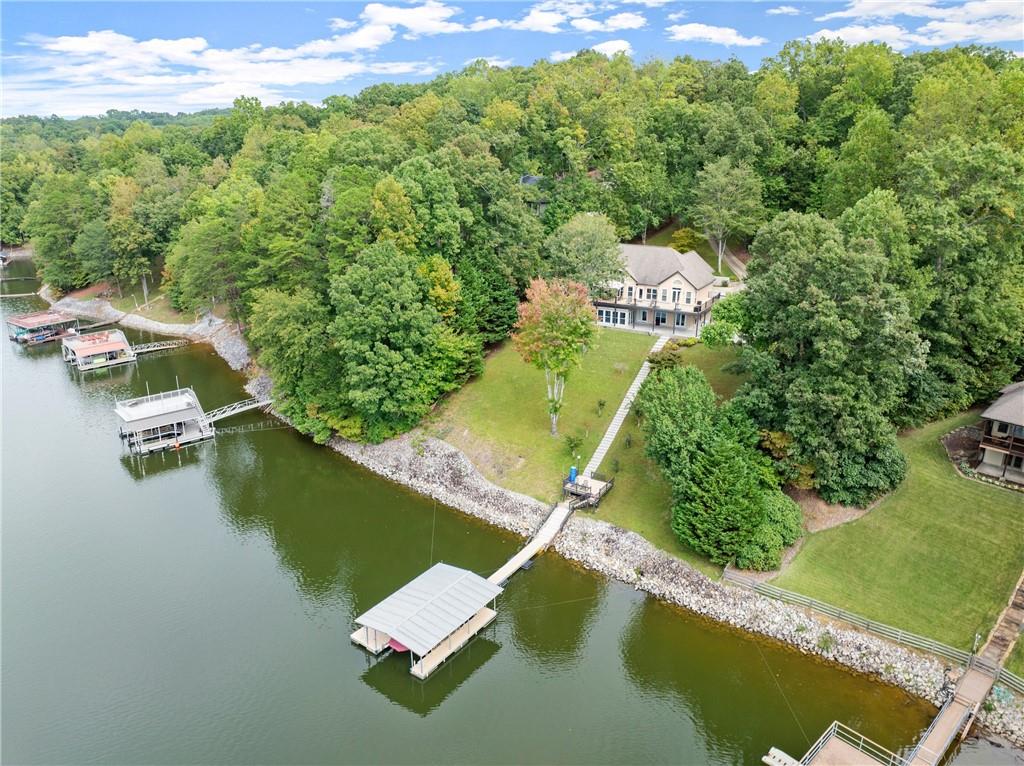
(90,74)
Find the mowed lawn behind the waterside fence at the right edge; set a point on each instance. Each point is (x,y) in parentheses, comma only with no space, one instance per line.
(938,557)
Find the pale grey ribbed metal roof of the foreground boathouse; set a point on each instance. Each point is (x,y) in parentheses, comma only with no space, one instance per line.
(429,610)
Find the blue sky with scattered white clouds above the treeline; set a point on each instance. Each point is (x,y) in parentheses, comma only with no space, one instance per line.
(75,59)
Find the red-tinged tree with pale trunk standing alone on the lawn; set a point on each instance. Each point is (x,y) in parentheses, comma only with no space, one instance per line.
(556,328)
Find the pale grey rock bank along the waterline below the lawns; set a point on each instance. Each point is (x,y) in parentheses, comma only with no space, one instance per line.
(439,471)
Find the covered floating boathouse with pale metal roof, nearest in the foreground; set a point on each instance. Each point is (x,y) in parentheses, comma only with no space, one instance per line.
(433,617)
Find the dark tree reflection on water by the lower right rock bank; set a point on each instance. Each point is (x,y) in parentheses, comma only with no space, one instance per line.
(747,673)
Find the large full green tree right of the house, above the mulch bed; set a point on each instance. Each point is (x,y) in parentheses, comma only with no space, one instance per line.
(830,347)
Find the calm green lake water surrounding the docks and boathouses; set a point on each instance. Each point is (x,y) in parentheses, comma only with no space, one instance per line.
(196,608)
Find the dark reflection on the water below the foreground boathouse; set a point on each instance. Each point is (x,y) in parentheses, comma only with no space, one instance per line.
(391,677)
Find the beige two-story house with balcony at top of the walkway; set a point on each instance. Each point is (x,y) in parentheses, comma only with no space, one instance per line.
(663,290)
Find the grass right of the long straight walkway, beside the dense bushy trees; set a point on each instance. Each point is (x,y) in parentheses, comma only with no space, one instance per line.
(642,498)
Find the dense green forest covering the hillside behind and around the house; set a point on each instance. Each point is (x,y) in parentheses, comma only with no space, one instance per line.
(374,246)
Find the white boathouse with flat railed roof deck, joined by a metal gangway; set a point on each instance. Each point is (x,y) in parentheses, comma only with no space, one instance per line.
(163,421)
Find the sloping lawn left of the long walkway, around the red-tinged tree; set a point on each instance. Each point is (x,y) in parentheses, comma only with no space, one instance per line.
(500,420)
